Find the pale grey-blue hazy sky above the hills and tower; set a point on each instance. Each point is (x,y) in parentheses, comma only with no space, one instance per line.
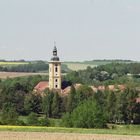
(82,29)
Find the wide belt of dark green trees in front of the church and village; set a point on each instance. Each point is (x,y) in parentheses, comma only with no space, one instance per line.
(81,108)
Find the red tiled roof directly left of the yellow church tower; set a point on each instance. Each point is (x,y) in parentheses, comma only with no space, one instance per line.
(41,86)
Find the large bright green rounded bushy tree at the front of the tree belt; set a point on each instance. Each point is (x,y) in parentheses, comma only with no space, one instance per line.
(87,115)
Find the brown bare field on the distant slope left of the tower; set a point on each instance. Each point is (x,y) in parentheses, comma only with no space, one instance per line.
(4,75)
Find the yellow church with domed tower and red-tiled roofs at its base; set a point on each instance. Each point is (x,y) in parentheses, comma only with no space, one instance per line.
(55,77)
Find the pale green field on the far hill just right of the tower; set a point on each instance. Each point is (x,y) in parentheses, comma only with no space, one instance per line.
(78,66)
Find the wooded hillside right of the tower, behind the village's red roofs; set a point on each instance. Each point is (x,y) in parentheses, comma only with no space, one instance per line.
(103,73)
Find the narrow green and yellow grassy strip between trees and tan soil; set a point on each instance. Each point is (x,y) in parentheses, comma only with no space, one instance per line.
(118,130)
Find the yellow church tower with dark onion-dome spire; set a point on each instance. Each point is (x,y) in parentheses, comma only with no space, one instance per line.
(55,71)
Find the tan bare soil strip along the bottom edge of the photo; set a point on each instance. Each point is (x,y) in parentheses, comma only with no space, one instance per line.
(61,136)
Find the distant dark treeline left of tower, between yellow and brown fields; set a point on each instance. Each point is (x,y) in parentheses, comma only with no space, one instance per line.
(31,67)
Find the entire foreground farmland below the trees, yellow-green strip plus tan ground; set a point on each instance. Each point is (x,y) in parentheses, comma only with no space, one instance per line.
(60,133)
